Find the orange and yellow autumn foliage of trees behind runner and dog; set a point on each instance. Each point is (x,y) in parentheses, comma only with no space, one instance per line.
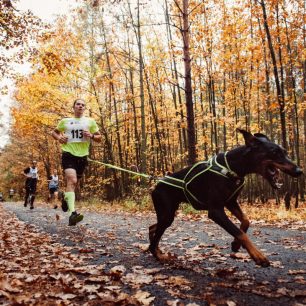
(247,61)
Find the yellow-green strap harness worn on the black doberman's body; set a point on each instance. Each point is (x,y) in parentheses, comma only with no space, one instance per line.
(212,165)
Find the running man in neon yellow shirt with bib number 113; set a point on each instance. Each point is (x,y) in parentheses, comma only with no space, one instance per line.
(75,135)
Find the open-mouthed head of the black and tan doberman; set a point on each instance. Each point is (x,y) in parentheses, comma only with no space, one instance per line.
(269,158)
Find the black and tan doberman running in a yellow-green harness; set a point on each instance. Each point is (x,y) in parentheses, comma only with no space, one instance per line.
(215,184)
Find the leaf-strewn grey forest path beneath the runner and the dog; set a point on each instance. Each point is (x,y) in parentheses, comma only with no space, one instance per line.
(102,261)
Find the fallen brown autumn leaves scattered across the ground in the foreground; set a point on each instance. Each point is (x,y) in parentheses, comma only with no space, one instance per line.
(37,269)
